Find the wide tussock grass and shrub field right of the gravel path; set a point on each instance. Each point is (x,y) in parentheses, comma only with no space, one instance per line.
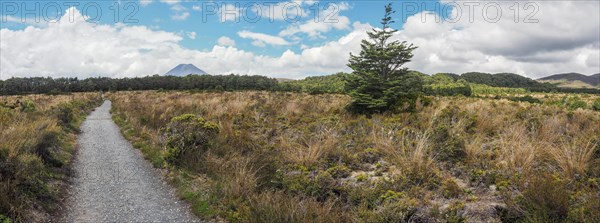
(290,157)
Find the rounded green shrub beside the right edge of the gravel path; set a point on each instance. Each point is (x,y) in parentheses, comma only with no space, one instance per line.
(188,134)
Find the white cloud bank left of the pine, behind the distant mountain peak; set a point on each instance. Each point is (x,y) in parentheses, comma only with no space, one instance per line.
(120,50)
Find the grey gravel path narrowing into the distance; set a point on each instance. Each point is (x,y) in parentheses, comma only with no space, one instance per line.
(113,182)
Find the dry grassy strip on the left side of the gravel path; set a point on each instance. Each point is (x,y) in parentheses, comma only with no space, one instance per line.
(36,145)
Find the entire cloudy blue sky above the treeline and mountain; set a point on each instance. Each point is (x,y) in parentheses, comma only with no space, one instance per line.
(150,37)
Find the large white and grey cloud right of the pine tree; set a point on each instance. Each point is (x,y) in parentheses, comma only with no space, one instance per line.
(563,39)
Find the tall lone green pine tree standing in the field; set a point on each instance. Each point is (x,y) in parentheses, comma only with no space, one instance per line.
(379,82)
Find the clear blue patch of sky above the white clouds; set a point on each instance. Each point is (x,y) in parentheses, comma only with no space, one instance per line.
(207,24)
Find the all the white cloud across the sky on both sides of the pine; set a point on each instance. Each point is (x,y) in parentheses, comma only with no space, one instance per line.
(565,39)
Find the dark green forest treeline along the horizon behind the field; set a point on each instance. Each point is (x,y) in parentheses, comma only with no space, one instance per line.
(437,84)
